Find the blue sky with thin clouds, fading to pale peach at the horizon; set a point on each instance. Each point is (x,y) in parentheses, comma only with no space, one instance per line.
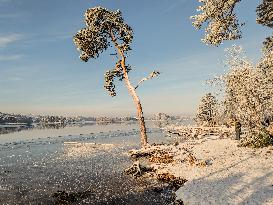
(40,71)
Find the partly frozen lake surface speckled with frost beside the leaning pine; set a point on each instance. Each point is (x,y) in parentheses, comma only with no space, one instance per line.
(75,165)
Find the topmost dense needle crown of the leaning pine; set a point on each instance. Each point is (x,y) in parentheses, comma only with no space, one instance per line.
(101,26)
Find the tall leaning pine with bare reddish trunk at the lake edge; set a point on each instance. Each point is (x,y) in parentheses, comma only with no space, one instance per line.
(104,29)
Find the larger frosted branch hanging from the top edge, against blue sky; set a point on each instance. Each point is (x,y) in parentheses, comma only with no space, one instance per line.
(222,23)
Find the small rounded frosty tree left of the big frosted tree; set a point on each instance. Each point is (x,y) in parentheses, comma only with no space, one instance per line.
(207,111)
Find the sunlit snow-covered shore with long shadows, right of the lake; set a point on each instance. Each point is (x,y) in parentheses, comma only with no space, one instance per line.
(219,172)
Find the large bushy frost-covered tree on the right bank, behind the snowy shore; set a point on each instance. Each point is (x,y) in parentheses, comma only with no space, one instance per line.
(247,96)
